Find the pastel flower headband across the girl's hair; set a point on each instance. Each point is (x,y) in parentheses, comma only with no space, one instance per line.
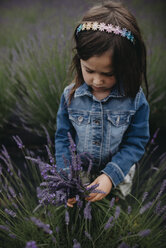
(109,28)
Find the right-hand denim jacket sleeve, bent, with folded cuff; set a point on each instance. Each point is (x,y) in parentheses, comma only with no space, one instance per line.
(133,144)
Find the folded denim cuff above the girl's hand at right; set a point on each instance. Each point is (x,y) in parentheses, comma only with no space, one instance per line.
(114,172)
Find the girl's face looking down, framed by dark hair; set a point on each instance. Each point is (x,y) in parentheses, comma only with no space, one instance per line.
(98,73)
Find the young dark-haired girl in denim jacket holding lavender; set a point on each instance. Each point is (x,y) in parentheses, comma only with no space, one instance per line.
(105,109)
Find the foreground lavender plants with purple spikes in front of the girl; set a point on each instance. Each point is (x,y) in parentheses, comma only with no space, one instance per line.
(34,213)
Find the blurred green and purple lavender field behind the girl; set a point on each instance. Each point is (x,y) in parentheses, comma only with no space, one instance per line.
(35,55)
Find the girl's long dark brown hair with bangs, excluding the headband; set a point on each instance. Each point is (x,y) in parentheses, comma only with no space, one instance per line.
(129,59)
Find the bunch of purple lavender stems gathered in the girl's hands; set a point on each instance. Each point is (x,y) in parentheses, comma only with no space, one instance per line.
(60,185)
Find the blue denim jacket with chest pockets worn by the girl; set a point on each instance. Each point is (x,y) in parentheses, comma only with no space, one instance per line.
(114,130)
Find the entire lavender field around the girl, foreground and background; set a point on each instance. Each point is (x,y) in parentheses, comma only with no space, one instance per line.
(35,55)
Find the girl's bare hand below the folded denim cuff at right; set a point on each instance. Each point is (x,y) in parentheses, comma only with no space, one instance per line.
(105,185)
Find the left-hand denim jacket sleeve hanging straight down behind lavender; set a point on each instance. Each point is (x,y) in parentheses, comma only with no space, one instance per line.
(62,152)
